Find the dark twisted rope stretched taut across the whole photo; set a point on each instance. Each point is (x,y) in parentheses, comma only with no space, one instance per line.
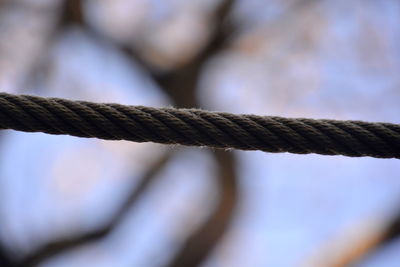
(196,127)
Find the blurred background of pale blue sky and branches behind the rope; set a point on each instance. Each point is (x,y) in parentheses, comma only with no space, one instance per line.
(67,201)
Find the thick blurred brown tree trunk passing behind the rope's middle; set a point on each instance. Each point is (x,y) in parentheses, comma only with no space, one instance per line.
(181,85)
